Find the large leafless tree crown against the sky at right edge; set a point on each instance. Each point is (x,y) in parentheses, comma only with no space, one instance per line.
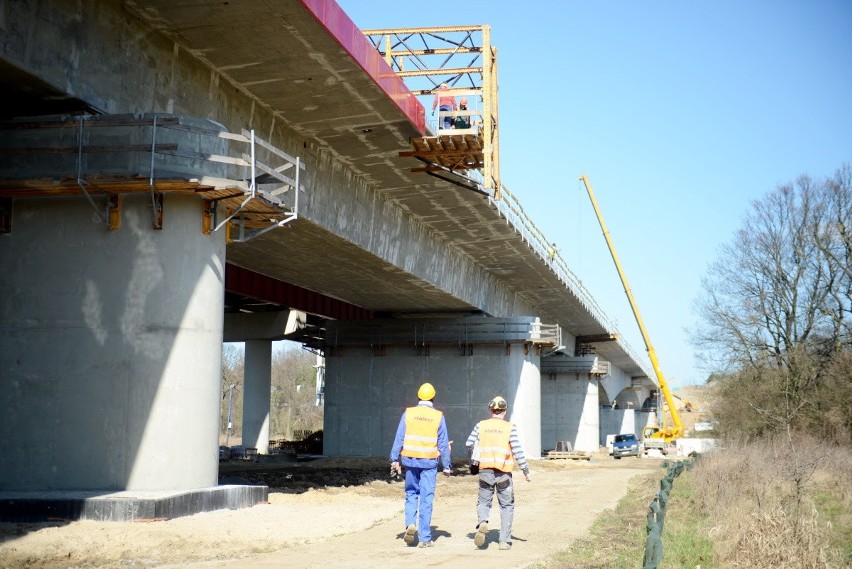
(776,303)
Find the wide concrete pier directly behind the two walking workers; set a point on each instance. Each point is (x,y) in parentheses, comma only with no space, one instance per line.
(371,379)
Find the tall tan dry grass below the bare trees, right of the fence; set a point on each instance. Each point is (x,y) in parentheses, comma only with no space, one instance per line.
(777,504)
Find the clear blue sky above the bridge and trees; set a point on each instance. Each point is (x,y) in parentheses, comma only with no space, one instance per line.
(680,113)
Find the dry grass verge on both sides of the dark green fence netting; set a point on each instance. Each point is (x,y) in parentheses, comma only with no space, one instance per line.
(752,505)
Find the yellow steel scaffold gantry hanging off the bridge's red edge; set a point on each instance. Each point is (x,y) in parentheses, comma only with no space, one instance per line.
(463,59)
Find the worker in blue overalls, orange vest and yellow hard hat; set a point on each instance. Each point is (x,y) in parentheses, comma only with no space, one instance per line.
(421,438)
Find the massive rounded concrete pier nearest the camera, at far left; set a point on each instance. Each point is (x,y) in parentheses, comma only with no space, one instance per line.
(110,347)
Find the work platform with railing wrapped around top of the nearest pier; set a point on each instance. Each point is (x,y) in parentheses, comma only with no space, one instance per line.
(104,158)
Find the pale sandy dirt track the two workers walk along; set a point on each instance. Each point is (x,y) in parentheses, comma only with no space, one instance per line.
(341,513)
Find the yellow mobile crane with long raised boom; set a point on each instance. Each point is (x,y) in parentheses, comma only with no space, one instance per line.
(652,437)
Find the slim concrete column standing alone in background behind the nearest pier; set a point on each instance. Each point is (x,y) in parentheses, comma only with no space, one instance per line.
(257,395)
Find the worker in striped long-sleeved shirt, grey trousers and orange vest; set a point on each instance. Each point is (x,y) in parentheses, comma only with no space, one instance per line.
(494,443)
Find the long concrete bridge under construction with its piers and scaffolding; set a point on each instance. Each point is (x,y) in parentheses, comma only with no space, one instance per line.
(255,172)
